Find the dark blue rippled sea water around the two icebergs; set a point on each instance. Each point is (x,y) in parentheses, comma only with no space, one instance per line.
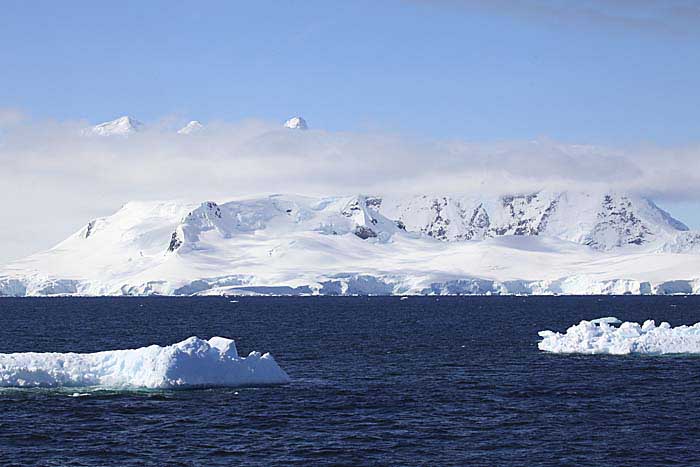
(377,381)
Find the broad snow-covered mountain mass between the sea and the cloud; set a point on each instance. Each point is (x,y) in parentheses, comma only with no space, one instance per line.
(541,243)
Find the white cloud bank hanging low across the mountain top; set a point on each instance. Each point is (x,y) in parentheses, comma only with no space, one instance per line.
(54,178)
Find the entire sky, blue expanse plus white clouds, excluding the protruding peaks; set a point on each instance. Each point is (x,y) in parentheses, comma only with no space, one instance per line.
(545,93)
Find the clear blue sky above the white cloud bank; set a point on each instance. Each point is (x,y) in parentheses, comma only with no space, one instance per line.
(440,69)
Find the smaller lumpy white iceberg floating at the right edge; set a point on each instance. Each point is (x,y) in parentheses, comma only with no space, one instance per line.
(602,337)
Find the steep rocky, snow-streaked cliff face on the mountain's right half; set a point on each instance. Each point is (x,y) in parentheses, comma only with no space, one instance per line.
(604,222)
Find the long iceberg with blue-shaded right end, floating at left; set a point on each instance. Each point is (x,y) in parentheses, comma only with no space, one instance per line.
(193,362)
